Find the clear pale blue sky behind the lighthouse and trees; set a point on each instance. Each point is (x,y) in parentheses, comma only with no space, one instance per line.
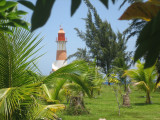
(60,16)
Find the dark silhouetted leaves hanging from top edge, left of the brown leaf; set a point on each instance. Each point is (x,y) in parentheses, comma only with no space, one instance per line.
(42,10)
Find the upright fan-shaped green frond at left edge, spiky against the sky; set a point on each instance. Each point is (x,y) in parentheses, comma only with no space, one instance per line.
(17,53)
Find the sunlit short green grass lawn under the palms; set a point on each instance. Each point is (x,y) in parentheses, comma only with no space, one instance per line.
(105,106)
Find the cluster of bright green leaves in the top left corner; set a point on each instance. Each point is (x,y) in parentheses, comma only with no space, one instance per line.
(11,17)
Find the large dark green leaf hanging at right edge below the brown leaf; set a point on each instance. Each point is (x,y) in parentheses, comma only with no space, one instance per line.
(148,42)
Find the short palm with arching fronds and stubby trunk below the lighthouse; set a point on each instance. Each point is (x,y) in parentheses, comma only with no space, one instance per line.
(69,78)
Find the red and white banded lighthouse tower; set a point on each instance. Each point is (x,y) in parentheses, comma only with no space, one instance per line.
(61,51)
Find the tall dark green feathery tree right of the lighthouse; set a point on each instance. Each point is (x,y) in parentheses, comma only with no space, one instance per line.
(100,39)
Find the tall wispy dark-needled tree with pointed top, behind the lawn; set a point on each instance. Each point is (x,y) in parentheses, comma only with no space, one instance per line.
(103,43)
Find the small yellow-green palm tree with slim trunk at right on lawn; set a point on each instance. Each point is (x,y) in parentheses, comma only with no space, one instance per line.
(143,78)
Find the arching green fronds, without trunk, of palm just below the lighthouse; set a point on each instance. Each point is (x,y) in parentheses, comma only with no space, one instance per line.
(70,72)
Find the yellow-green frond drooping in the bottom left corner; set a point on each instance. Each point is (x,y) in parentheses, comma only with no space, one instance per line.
(10,98)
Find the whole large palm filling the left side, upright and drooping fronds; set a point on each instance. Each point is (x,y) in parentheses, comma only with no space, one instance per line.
(20,87)
